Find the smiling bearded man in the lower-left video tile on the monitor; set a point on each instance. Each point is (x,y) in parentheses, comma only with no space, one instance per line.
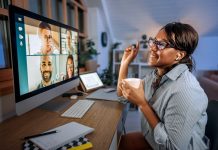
(46,71)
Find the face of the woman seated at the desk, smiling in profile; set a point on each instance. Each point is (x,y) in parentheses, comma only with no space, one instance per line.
(161,58)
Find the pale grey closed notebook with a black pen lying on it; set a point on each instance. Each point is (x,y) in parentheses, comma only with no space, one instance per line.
(66,133)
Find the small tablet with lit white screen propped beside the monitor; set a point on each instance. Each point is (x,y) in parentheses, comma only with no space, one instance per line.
(90,81)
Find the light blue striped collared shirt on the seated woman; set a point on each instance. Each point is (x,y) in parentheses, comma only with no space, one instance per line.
(181,104)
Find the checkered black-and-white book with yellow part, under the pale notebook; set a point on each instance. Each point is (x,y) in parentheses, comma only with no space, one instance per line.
(80,144)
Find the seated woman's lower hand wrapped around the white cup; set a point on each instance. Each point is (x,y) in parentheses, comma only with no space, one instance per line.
(134,95)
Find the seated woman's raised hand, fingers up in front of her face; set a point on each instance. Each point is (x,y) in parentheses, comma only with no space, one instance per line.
(129,54)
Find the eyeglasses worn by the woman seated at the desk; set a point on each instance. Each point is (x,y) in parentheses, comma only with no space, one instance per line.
(159,44)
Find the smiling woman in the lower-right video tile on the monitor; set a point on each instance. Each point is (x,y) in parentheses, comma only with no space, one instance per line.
(69,67)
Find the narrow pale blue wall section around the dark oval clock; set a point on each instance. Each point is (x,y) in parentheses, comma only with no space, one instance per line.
(96,25)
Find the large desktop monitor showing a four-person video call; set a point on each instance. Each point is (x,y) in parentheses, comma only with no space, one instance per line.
(45,58)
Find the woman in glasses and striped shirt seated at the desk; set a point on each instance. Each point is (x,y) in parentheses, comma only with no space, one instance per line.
(172,103)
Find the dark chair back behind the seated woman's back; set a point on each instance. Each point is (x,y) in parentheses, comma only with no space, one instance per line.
(211,130)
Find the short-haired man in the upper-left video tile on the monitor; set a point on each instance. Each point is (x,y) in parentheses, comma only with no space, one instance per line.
(47,44)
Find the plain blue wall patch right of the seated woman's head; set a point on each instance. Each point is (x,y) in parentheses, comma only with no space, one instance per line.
(206,54)
